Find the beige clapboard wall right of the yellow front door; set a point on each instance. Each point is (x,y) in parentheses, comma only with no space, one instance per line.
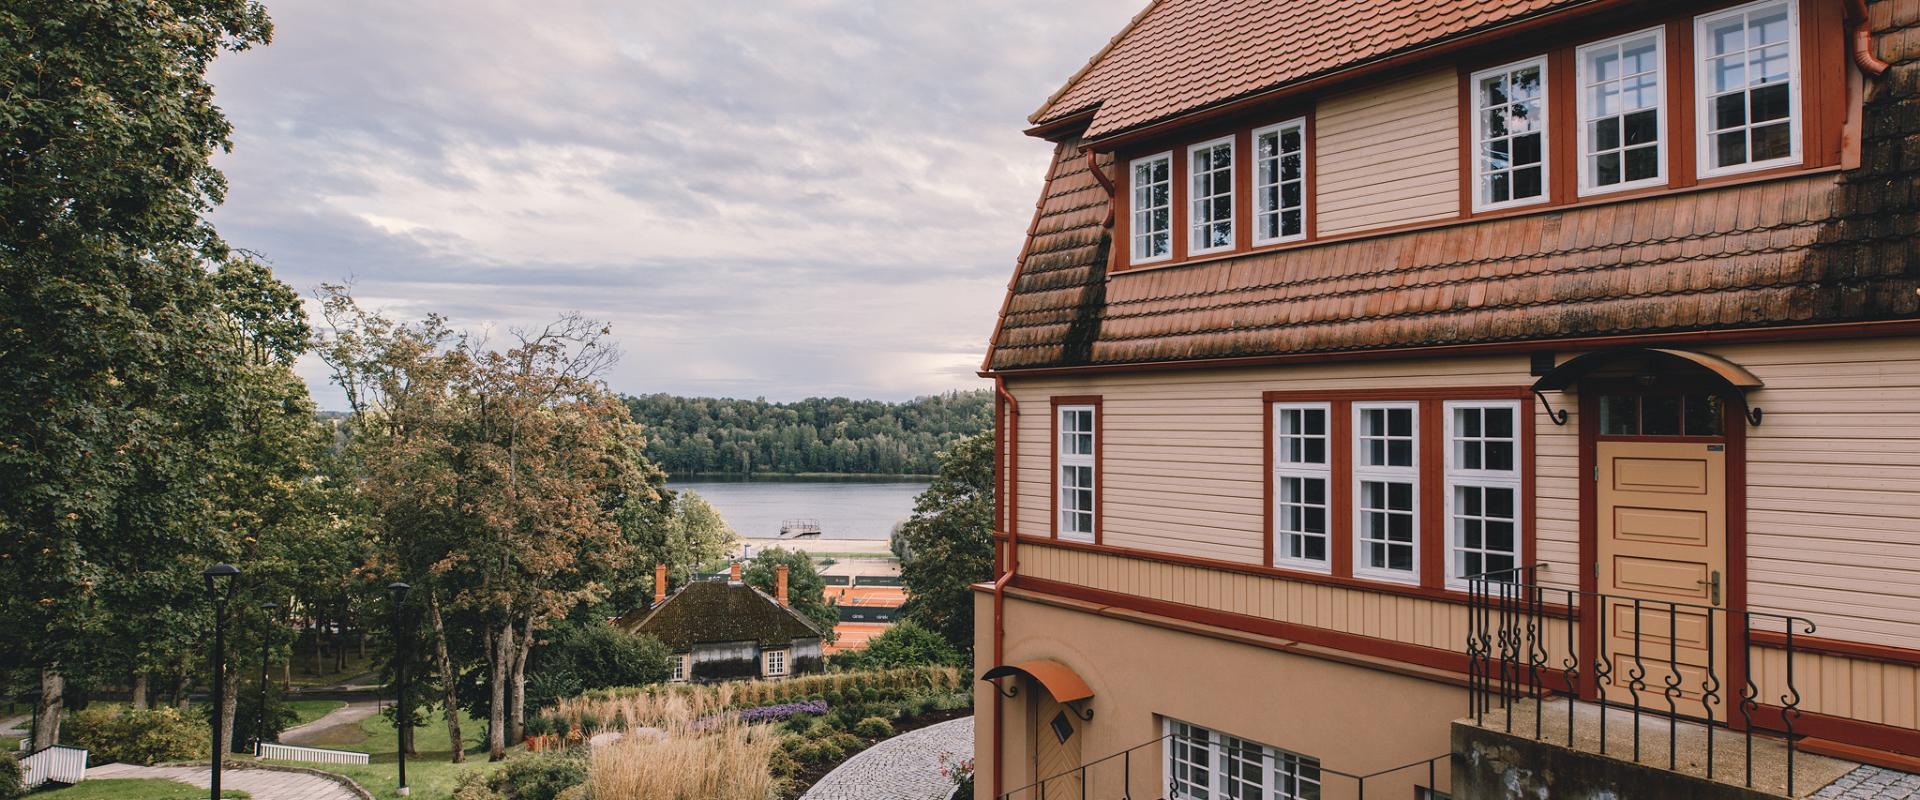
(1835,486)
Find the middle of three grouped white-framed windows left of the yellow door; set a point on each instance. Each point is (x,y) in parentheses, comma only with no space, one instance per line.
(1387,496)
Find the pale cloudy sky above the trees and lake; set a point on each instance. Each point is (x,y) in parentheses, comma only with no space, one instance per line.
(763,199)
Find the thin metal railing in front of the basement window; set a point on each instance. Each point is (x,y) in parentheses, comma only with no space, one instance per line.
(1115,778)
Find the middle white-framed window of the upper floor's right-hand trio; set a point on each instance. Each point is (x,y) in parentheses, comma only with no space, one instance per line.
(1623,112)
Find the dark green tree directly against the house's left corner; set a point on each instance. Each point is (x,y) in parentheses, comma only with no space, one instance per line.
(949,542)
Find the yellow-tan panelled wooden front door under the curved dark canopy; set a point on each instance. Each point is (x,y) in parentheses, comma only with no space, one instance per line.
(1662,534)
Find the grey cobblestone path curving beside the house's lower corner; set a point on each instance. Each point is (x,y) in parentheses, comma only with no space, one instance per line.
(901,768)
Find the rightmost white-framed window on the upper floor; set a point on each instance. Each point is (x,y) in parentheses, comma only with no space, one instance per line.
(1748,83)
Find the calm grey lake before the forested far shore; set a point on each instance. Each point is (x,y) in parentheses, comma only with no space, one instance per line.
(846,507)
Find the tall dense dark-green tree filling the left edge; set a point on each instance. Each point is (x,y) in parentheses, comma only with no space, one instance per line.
(114,350)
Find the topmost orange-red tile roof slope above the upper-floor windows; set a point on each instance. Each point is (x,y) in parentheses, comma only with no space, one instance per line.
(1186,55)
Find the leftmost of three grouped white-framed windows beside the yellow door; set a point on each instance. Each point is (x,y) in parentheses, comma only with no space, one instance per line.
(1303,484)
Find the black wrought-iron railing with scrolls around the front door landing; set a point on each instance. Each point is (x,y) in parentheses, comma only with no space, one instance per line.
(1524,644)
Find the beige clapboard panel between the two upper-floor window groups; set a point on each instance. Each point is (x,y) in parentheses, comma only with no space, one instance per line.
(1389,154)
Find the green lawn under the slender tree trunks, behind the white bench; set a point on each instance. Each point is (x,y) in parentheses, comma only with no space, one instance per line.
(429,774)
